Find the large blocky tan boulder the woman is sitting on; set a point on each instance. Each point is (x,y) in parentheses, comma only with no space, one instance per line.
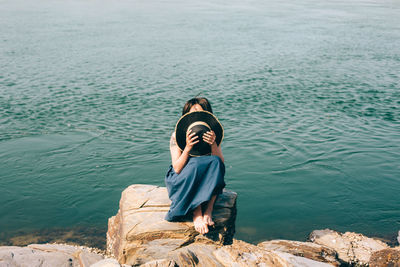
(139,233)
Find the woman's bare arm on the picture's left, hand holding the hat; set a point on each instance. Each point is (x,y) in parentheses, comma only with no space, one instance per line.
(178,157)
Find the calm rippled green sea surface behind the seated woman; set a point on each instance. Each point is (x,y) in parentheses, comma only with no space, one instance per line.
(308,92)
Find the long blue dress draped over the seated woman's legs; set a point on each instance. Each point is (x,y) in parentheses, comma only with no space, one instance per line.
(201,178)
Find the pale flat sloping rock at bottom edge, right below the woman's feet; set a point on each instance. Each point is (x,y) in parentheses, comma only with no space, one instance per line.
(244,254)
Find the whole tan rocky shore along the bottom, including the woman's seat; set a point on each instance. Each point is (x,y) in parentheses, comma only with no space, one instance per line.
(138,235)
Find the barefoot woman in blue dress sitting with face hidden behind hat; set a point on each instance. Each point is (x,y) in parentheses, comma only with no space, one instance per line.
(195,182)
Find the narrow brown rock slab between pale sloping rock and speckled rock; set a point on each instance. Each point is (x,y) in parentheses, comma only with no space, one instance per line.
(303,249)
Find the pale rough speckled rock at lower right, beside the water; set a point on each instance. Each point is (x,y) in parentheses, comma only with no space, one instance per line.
(353,248)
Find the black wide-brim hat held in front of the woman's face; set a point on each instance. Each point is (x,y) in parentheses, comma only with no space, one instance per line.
(200,122)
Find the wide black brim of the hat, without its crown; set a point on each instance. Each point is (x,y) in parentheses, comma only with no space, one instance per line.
(186,120)
